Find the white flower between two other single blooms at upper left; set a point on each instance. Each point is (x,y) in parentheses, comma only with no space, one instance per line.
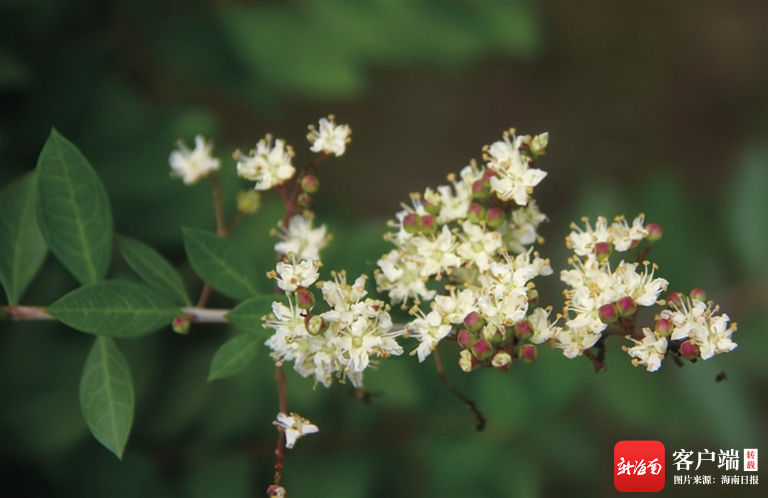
(268,166)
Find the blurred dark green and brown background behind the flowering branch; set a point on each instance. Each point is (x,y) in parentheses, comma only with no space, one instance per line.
(654,107)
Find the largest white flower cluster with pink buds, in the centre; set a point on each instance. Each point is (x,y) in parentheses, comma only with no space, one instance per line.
(477,234)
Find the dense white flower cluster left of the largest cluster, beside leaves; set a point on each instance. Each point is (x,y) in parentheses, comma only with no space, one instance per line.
(338,342)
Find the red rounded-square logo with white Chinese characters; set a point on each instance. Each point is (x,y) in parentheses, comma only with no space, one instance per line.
(638,466)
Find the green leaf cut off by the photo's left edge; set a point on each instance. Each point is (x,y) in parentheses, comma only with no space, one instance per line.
(21,243)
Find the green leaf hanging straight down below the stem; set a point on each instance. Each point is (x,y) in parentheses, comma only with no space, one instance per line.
(106,395)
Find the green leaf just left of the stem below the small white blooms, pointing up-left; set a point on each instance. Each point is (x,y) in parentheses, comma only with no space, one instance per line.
(218,263)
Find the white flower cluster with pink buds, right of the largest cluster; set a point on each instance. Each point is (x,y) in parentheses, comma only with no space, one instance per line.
(599,294)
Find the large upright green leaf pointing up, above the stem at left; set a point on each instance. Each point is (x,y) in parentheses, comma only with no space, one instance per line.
(73,210)
